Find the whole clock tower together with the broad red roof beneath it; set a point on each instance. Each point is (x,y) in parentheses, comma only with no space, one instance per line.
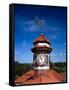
(41,61)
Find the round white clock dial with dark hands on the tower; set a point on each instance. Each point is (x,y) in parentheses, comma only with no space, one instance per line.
(41,59)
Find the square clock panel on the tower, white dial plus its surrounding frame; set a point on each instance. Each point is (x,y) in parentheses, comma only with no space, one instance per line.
(41,59)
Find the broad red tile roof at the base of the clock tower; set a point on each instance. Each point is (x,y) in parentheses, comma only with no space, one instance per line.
(46,76)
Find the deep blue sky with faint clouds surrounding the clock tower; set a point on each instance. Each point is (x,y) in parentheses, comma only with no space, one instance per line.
(26,31)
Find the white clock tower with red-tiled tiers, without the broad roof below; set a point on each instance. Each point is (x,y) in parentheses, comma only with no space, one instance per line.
(41,53)
